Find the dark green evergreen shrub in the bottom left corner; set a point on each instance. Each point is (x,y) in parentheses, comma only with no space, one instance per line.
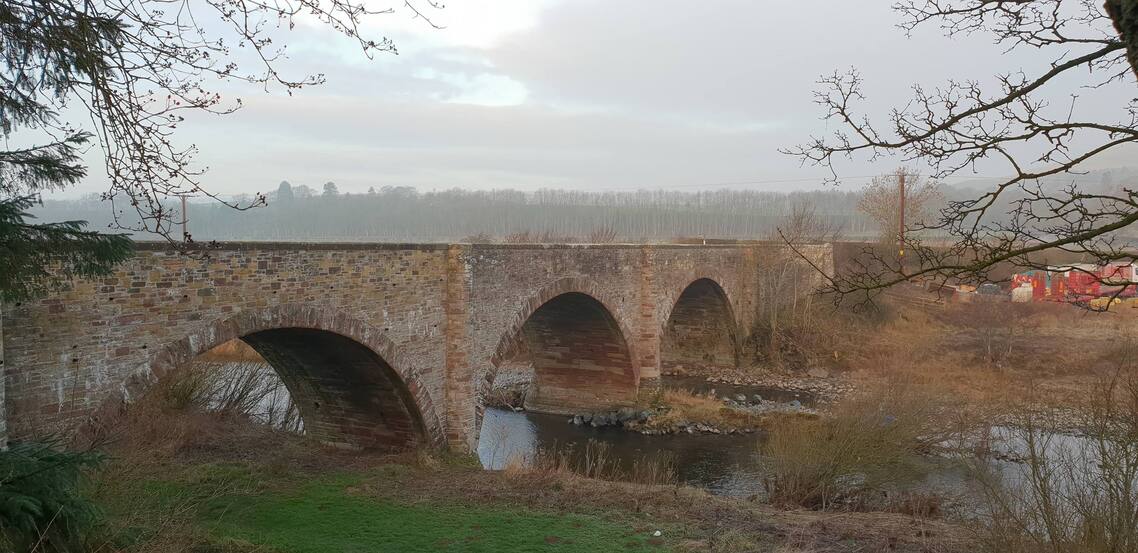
(42,509)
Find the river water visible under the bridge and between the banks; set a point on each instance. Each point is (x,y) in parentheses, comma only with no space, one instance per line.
(724,465)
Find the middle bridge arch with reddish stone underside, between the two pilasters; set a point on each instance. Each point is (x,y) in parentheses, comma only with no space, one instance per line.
(582,352)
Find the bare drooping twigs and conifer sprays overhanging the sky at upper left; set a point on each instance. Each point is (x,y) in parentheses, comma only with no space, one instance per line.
(137,69)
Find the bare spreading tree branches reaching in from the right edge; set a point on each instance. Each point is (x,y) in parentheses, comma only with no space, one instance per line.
(954,127)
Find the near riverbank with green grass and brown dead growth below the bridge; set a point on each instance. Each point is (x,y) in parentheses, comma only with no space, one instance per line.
(230,486)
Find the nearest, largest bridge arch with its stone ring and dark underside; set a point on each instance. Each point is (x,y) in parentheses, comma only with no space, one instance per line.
(349,381)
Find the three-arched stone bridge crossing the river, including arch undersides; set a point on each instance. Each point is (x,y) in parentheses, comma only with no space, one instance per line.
(386,345)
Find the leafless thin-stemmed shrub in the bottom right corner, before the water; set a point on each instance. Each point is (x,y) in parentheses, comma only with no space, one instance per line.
(1071,494)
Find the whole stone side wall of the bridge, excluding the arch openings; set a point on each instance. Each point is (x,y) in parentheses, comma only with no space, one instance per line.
(442,317)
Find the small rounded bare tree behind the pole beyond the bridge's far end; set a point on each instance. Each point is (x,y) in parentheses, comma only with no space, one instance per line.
(881,202)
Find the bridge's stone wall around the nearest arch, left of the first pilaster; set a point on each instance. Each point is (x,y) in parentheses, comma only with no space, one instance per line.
(101,340)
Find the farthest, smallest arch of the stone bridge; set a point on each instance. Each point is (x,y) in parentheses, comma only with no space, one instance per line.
(700,328)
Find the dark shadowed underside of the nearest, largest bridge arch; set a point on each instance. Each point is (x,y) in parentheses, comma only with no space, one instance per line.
(347,394)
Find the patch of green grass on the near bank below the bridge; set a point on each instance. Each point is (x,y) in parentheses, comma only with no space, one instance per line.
(245,507)
